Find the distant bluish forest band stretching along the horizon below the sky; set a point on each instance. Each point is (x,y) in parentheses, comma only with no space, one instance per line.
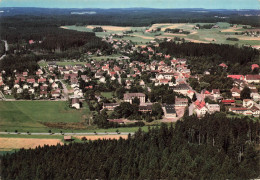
(135,16)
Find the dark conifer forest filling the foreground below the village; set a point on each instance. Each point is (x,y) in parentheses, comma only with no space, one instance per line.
(214,147)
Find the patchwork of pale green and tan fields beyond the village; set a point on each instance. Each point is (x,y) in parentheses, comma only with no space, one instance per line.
(218,35)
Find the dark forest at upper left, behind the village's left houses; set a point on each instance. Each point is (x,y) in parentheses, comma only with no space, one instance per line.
(46,34)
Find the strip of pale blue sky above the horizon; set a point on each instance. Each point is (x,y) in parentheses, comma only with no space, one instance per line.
(208,4)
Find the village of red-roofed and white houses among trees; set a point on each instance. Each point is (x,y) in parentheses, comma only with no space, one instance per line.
(128,80)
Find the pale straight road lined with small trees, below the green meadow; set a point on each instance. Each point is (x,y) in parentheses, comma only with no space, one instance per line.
(98,133)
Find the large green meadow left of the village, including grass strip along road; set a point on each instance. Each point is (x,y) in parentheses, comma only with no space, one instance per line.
(26,116)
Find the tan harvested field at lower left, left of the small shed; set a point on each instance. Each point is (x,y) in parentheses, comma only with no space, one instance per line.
(18,143)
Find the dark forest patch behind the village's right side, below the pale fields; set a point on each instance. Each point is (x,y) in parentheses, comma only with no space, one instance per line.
(203,57)
